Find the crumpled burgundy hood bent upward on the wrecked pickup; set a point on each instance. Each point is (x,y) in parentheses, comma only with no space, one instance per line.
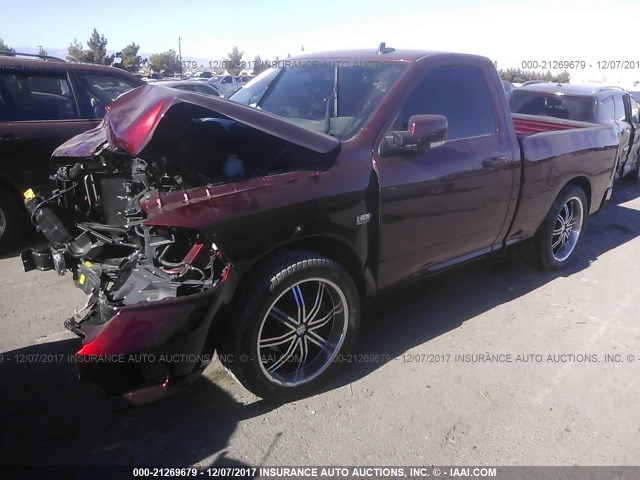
(132,119)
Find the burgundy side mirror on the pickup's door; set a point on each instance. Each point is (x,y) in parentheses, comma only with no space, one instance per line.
(423,131)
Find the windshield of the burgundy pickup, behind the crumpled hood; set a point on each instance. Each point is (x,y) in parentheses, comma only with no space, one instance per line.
(331,97)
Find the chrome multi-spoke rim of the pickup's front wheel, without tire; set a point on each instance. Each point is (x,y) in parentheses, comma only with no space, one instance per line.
(302,332)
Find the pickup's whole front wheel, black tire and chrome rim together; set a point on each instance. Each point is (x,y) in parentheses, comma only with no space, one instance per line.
(276,286)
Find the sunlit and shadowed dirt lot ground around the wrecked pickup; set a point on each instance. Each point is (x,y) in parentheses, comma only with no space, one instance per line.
(420,391)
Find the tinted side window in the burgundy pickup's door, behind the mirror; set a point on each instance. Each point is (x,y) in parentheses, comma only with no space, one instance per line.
(460,94)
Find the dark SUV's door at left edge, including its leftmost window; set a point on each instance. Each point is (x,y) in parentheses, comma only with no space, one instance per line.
(38,112)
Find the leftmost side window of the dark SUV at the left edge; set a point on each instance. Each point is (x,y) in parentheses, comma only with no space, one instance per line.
(27,97)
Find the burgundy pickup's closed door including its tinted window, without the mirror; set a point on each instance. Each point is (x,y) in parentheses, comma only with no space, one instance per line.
(447,202)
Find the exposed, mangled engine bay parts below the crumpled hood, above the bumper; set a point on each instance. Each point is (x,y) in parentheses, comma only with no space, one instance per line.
(95,222)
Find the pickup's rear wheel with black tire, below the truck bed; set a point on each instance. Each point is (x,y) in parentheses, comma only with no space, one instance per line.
(542,250)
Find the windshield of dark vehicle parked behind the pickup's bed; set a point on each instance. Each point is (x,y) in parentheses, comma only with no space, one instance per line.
(569,107)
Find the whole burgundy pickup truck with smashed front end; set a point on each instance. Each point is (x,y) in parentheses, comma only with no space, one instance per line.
(257,226)
